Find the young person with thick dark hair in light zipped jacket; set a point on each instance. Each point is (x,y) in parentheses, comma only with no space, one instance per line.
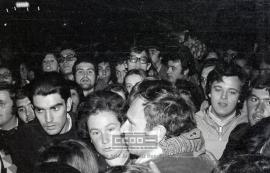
(225,94)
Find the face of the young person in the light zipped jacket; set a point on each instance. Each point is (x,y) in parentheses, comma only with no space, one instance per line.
(224,96)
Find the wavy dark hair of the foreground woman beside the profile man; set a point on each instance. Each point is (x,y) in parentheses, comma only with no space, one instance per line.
(97,102)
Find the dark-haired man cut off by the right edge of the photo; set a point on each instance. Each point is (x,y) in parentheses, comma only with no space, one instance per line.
(258,108)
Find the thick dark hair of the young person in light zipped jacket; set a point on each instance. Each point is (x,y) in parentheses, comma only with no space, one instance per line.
(227,70)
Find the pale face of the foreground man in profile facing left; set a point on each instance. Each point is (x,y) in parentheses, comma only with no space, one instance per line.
(136,123)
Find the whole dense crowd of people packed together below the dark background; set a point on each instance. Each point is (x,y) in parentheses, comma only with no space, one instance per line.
(151,109)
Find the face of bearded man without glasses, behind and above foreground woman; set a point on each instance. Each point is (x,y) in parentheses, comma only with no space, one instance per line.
(85,75)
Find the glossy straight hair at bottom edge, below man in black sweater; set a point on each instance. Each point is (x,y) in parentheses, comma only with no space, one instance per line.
(71,152)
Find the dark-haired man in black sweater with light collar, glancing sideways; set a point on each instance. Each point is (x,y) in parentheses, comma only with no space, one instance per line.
(50,96)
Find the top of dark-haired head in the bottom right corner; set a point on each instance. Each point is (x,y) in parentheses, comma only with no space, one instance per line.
(246,163)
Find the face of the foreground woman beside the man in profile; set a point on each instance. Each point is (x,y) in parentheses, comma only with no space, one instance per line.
(102,127)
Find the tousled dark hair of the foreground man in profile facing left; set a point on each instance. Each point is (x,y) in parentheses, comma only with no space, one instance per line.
(165,107)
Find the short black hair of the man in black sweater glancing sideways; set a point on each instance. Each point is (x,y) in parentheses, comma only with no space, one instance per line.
(50,83)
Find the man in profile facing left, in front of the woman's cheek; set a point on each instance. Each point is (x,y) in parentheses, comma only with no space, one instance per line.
(157,113)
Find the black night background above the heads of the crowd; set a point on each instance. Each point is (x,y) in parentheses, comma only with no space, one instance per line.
(121,23)
